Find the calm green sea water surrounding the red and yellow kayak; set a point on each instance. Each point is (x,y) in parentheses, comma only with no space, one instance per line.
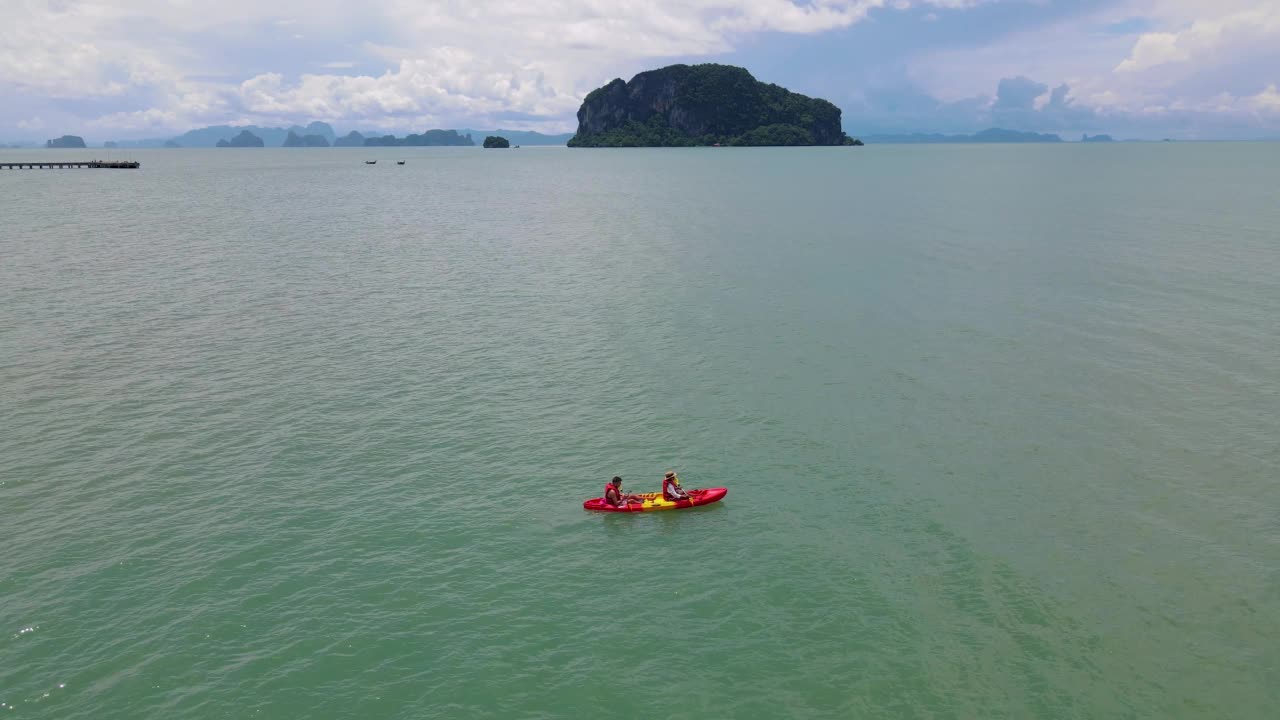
(284,435)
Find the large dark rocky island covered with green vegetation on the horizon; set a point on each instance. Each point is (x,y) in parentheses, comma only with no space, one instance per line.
(708,104)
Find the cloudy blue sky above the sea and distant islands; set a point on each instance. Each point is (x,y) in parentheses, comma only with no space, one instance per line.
(153,69)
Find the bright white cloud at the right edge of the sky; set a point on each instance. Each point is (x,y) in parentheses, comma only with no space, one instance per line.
(1203,65)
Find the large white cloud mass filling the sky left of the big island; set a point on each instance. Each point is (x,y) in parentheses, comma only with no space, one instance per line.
(176,63)
